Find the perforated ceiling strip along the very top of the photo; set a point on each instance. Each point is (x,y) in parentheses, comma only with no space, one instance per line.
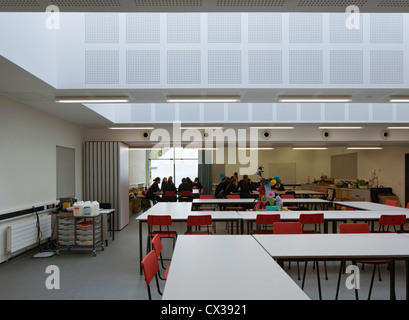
(204,5)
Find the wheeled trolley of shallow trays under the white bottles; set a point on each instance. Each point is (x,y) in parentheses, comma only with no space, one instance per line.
(79,232)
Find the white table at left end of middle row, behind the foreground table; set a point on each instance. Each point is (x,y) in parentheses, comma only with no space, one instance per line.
(179,211)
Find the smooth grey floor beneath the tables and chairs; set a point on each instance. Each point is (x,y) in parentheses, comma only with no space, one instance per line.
(114,274)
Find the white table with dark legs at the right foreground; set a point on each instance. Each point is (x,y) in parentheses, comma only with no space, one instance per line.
(339,247)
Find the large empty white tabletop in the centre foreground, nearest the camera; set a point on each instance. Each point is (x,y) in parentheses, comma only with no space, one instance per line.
(226,267)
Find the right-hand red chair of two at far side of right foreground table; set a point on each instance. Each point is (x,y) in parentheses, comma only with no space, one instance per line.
(359,228)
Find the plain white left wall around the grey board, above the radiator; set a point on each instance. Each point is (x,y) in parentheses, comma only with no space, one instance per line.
(28,140)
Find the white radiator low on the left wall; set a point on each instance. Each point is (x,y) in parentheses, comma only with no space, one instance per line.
(24,233)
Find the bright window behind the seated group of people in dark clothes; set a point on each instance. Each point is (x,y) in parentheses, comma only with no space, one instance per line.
(176,162)
